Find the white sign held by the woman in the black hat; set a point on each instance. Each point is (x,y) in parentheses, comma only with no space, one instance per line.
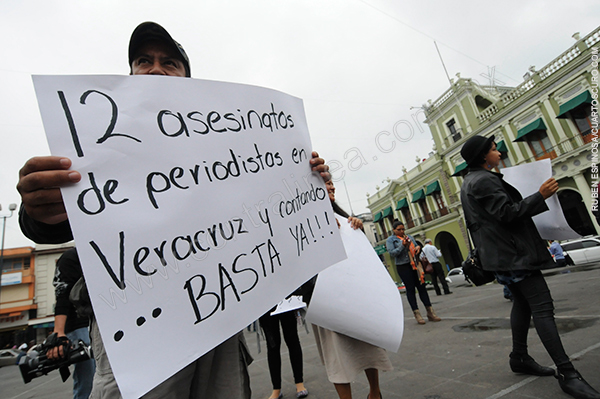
(527,178)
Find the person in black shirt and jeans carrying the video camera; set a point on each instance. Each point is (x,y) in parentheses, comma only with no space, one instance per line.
(67,324)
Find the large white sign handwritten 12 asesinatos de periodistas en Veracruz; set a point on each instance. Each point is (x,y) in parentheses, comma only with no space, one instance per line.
(197,210)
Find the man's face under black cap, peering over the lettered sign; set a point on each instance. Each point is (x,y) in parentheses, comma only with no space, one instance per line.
(156,58)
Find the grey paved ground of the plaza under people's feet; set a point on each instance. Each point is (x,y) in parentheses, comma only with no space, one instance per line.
(466,354)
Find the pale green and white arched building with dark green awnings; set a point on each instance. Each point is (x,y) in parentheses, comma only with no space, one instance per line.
(551,115)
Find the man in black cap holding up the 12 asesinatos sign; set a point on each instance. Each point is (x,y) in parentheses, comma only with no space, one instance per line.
(220,373)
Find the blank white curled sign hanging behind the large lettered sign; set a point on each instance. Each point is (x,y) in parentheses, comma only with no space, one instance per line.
(357,296)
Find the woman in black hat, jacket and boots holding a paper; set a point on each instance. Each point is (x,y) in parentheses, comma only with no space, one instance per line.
(508,243)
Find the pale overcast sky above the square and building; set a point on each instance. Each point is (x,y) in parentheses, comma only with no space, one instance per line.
(358,65)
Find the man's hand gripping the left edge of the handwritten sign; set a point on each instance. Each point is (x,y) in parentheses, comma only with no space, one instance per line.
(39,182)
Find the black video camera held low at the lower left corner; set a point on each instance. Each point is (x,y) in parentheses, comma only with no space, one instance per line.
(37,363)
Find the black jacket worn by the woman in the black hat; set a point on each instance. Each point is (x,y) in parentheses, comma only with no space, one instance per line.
(500,223)
